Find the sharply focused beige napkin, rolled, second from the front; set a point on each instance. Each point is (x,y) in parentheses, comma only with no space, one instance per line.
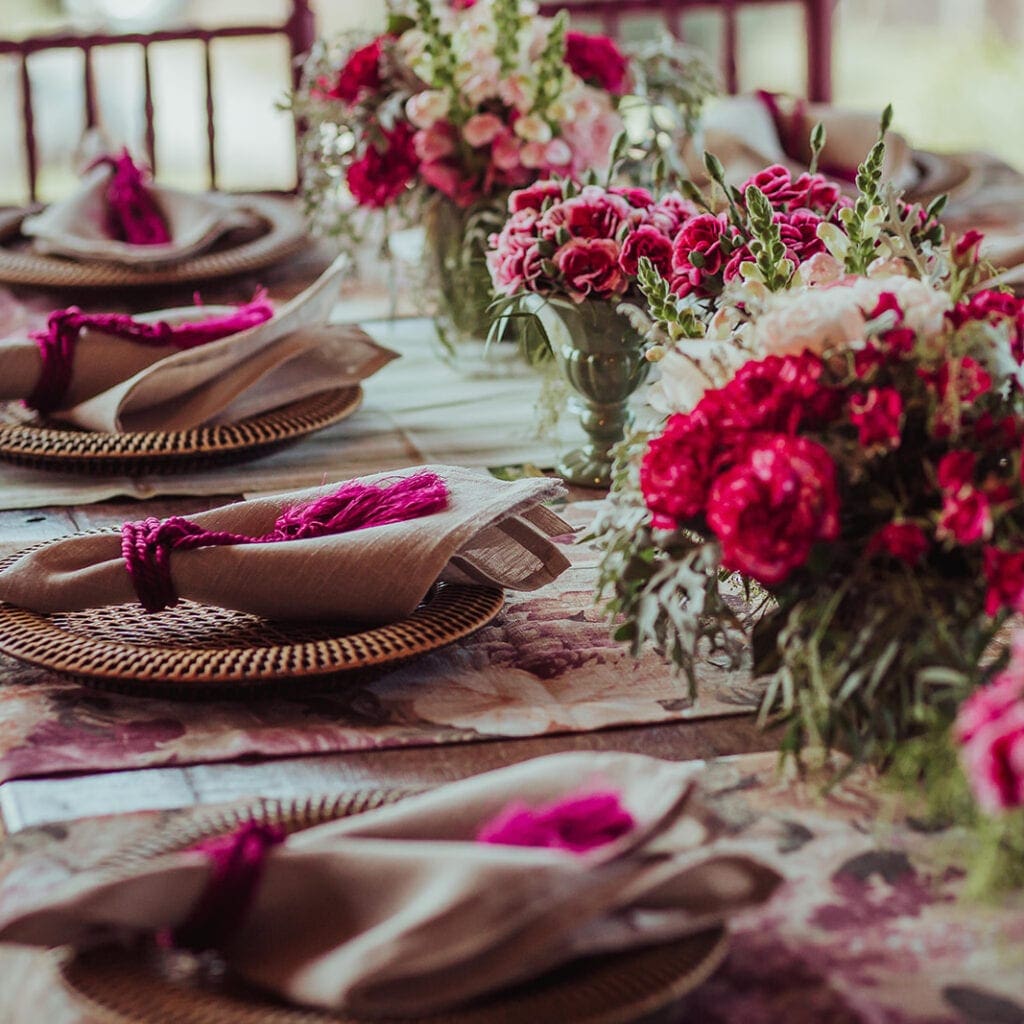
(491,533)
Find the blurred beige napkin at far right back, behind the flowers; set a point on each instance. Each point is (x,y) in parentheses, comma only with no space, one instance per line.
(742,133)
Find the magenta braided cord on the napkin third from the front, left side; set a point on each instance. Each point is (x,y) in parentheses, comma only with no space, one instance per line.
(58,344)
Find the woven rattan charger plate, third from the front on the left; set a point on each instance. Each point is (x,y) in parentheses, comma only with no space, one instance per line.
(28,441)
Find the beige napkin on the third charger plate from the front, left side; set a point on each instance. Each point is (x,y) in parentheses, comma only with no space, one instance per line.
(119,386)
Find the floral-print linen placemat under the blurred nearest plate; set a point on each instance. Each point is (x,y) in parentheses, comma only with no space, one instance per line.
(870,927)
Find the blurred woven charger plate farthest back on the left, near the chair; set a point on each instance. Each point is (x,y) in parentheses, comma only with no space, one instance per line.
(283,234)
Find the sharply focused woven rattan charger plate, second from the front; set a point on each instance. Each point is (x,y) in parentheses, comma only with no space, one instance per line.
(197,651)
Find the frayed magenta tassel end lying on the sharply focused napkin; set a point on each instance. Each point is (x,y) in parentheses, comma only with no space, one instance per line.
(358,505)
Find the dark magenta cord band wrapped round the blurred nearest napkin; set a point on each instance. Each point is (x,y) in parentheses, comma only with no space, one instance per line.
(237,862)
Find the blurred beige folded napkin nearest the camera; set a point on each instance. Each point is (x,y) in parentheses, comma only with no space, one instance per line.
(400,912)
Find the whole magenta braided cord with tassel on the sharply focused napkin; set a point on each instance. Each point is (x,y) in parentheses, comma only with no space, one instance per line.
(147,545)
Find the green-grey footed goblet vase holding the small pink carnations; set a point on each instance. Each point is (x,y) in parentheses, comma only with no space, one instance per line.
(602,357)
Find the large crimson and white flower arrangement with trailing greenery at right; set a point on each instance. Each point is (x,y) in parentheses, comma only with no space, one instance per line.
(835,495)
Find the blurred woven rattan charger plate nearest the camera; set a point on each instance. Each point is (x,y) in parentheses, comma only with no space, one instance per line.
(152,989)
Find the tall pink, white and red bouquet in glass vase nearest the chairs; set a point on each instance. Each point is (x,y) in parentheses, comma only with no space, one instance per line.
(460,102)
